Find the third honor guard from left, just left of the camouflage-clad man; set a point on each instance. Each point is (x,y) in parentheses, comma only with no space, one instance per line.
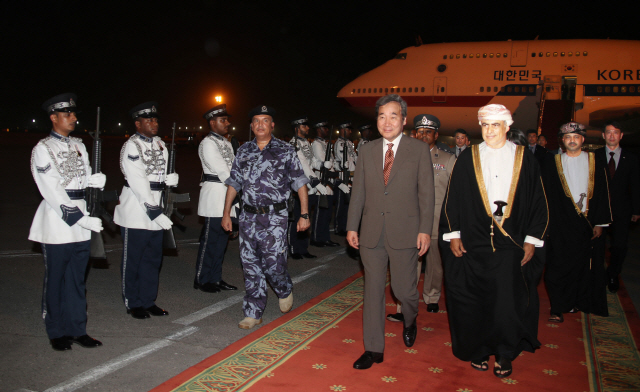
(216,155)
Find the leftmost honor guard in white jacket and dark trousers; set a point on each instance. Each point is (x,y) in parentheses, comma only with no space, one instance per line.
(60,167)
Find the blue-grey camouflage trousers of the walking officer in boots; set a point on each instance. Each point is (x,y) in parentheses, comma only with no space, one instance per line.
(263,252)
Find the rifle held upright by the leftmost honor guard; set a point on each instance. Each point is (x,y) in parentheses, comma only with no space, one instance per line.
(97,197)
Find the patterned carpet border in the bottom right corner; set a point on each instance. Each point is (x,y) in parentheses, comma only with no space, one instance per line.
(613,358)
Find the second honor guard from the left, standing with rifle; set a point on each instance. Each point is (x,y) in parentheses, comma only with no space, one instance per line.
(143,161)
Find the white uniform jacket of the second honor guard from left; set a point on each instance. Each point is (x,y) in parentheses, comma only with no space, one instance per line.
(143,162)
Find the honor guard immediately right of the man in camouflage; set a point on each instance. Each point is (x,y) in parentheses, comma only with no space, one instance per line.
(299,241)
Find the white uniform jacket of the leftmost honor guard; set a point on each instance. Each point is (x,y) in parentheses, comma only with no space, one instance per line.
(59,164)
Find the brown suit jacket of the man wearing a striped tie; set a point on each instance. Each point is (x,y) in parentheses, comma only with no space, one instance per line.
(404,207)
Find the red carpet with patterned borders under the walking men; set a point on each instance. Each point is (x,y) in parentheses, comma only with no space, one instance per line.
(314,347)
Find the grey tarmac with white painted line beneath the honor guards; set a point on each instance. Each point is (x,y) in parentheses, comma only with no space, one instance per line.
(140,354)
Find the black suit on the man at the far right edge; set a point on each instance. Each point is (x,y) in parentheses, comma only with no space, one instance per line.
(624,190)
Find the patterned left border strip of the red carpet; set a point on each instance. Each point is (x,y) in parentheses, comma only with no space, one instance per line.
(254,361)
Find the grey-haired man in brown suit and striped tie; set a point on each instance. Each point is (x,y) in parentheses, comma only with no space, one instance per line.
(393,195)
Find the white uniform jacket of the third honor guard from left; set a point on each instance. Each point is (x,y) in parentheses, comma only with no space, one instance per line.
(216,155)
